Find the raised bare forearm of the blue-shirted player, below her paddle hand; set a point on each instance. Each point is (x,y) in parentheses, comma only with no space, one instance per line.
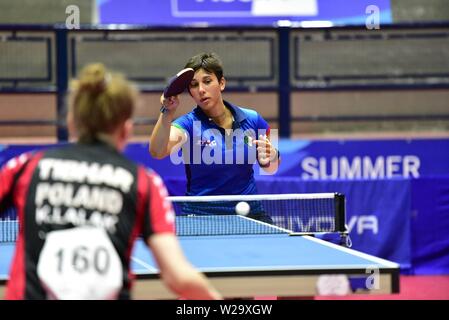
(160,136)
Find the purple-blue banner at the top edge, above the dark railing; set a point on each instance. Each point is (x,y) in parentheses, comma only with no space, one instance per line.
(241,12)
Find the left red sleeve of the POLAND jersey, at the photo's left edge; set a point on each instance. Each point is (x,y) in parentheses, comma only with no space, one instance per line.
(9,174)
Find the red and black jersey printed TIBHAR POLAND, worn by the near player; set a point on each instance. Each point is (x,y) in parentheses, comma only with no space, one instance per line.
(77,185)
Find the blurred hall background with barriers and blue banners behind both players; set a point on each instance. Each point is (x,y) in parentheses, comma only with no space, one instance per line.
(359,91)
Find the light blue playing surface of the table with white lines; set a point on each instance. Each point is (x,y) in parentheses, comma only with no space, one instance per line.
(251,252)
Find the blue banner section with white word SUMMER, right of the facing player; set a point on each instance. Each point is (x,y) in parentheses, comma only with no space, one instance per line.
(364,159)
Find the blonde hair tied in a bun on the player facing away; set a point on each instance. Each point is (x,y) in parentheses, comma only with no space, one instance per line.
(100,101)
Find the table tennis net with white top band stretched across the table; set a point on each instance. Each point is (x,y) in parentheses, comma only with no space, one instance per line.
(216,215)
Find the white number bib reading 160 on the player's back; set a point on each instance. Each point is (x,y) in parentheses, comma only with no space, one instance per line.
(80,263)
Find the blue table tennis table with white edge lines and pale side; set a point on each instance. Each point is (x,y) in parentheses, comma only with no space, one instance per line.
(248,265)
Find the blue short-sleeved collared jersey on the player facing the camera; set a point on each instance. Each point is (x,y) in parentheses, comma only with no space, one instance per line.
(218,161)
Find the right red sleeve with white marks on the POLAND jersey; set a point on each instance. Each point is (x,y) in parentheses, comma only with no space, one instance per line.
(159,215)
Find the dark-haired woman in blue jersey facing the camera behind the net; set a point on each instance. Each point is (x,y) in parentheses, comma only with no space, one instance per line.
(217,137)
